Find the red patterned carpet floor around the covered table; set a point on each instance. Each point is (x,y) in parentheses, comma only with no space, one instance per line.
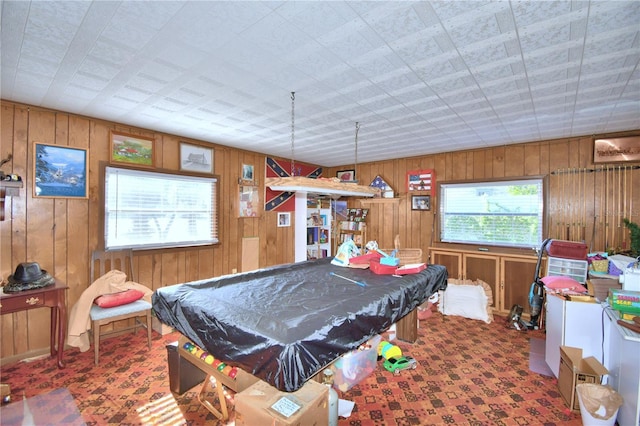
(469,373)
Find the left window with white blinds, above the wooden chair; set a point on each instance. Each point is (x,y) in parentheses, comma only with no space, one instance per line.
(146,210)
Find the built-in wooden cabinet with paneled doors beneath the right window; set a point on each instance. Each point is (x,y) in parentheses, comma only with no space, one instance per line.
(509,275)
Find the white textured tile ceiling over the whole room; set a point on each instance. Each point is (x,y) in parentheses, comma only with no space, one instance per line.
(423,77)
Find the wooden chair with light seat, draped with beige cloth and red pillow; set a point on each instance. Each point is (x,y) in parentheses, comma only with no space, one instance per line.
(101,263)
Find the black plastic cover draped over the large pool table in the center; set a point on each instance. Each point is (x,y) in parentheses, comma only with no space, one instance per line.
(284,324)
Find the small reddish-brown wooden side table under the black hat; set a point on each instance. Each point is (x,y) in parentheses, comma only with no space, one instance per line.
(54,297)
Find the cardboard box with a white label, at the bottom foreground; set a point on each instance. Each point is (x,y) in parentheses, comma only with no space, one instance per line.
(262,404)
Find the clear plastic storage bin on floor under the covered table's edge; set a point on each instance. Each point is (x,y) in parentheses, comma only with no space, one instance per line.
(352,367)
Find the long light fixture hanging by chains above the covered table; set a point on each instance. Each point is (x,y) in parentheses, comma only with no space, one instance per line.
(321,186)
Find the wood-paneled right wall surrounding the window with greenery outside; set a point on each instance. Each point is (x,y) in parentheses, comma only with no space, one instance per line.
(581,206)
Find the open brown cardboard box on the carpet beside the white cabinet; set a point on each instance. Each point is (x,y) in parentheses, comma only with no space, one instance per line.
(575,370)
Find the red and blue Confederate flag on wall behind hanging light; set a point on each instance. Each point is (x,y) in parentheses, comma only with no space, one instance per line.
(281,201)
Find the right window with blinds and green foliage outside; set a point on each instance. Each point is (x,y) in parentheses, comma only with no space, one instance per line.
(503,213)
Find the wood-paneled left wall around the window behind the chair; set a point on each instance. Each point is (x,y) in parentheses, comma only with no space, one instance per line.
(61,233)
